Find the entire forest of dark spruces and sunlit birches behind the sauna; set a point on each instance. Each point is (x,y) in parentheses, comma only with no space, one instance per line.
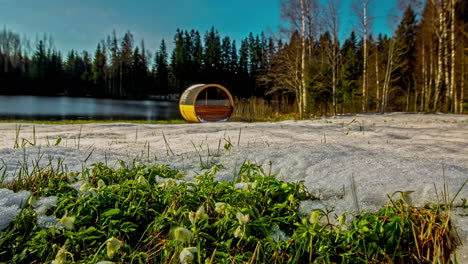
(419,68)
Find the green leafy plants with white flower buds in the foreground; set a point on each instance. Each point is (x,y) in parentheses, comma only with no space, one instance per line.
(146,214)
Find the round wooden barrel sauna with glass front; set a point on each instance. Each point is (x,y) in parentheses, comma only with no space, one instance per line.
(206,103)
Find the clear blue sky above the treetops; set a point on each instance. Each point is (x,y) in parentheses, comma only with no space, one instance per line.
(80,25)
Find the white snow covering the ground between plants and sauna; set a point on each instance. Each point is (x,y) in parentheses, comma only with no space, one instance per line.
(383,153)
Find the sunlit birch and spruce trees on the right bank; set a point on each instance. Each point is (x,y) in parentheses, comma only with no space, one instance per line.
(422,67)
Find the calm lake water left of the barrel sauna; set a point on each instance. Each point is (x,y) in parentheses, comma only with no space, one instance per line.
(58,108)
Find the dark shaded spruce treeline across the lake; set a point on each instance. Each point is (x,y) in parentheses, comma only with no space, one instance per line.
(119,68)
